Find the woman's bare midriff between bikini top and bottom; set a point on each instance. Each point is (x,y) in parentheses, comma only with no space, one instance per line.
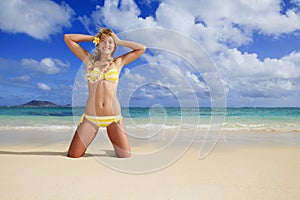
(102,100)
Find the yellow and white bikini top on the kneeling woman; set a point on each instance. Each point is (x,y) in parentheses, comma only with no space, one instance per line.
(111,75)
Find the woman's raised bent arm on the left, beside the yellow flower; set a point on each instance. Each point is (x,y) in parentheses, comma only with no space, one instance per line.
(72,41)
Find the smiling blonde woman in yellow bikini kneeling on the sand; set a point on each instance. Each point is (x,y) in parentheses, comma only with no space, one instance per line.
(102,107)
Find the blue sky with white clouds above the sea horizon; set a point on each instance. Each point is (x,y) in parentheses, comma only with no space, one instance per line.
(253,47)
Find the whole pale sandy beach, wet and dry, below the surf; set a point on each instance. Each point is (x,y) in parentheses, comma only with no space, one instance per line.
(253,163)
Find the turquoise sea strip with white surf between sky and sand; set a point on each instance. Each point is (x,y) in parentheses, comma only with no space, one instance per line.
(233,119)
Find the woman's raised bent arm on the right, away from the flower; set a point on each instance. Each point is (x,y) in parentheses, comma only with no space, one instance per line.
(137,50)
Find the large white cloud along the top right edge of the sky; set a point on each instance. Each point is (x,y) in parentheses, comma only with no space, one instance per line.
(232,22)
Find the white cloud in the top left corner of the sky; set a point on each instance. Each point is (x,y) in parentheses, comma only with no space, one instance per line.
(38,19)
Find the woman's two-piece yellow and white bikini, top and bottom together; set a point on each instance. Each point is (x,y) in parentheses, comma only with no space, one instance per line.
(94,76)
